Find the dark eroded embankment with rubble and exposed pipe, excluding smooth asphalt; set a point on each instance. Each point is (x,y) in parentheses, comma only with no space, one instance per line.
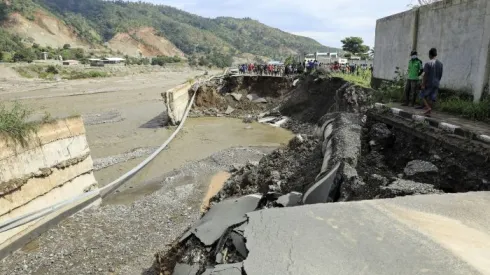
(340,154)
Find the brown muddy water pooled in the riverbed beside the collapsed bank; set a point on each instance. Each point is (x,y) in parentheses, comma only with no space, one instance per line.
(200,138)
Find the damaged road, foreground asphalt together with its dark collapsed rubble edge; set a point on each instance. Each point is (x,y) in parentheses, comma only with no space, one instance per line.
(294,224)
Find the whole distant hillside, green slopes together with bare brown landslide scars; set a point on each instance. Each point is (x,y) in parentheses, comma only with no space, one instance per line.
(150,29)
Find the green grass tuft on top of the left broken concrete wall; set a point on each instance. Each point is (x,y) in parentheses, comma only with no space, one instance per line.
(14,123)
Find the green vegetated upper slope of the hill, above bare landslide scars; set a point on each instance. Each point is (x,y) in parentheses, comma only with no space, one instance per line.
(97,21)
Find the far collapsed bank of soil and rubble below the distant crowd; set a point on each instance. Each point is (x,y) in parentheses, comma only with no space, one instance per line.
(296,105)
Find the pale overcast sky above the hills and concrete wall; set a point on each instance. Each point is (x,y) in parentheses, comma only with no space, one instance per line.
(326,21)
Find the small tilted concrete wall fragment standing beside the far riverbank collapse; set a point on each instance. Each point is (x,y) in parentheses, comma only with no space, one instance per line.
(176,100)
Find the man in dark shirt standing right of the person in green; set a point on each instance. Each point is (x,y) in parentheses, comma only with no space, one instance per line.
(432,78)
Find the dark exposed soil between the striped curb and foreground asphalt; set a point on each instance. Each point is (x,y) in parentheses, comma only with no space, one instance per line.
(452,164)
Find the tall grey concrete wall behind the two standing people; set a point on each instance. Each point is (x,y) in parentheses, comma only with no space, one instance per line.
(459,29)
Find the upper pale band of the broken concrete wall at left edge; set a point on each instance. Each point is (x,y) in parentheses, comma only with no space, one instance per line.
(55,145)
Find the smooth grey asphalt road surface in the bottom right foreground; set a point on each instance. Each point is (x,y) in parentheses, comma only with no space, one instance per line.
(433,234)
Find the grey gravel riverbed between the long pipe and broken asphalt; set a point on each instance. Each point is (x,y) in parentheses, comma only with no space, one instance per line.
(122,238)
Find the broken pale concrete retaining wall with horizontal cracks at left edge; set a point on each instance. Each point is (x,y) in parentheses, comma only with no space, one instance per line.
(54,165)
